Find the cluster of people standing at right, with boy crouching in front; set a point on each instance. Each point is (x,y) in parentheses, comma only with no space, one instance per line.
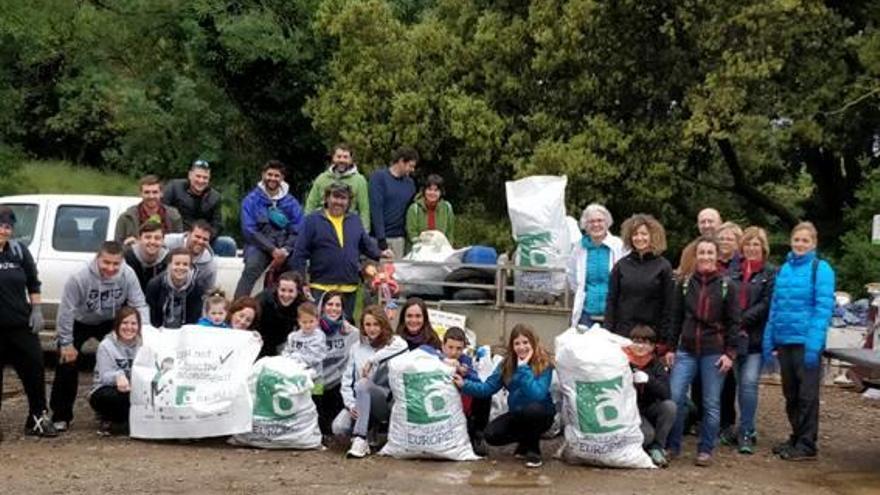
(702,332)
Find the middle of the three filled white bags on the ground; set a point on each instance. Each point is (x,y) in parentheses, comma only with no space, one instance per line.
(427,420)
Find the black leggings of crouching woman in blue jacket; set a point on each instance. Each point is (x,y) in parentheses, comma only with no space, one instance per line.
(524,427)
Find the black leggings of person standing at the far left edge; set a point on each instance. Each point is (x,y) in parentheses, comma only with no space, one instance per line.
(21,348)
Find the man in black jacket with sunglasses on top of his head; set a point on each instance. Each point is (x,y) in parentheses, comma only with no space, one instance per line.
(195,199)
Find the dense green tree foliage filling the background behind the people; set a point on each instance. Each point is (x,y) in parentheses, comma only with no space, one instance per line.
(767,109)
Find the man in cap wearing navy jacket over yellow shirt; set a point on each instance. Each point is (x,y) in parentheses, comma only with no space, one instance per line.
(331,241)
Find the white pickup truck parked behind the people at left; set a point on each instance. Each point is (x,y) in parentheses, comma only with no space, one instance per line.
(64,231)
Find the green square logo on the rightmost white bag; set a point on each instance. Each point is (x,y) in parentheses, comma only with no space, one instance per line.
(598,405)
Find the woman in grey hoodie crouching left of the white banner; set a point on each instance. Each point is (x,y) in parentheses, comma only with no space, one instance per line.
(112,383)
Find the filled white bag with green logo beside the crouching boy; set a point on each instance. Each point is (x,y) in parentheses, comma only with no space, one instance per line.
(600,409)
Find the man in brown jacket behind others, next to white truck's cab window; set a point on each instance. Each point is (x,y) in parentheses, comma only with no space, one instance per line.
(149,209)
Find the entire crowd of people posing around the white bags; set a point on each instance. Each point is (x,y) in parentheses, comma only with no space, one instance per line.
(701,331)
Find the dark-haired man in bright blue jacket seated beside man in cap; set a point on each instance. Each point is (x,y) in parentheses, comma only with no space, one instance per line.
(270,221)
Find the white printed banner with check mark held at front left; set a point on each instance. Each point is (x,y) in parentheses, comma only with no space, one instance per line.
(192,382)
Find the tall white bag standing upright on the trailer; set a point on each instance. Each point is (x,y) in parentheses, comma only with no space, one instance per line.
(536,206)
